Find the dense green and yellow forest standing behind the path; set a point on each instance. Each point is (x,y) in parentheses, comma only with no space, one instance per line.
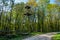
(32,16)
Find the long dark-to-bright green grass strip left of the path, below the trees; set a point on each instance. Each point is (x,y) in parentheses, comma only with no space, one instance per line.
(20,37)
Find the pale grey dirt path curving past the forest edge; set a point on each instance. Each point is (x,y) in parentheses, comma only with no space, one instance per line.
(42,37)
